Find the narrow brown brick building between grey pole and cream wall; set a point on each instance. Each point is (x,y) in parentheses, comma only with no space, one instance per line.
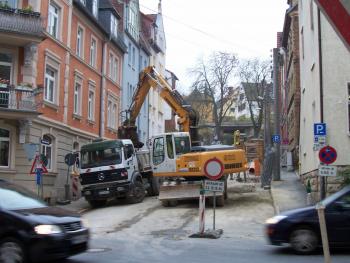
(289,83)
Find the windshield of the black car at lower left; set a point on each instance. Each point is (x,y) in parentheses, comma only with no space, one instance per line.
(13,197)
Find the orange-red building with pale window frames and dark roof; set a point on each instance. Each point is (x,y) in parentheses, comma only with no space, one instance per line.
(79,65)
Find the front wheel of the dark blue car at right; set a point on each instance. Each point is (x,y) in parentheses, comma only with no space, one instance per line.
(303,240)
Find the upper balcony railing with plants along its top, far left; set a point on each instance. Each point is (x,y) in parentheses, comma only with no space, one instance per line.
(21,22)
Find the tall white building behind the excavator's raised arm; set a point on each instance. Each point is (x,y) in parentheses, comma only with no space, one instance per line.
(153,30)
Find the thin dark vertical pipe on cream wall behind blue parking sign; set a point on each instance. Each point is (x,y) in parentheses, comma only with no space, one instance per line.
(322,178)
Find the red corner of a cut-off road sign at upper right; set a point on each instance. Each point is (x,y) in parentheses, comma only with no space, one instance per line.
(338,14)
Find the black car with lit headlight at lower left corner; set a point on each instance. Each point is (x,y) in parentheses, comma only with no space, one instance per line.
(32,231)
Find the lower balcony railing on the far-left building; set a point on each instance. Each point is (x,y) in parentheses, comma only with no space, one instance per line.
(18,98)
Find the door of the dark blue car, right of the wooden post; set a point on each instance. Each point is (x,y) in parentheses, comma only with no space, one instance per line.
(338,220)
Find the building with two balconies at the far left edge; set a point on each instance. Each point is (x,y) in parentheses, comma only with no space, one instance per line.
(20,35)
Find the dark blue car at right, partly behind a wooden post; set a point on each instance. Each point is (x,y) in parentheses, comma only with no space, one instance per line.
(301,229)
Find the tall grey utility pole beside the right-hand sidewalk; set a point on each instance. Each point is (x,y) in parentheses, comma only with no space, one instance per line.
(277,145)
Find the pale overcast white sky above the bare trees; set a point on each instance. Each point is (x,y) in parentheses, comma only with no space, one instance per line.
(196,28)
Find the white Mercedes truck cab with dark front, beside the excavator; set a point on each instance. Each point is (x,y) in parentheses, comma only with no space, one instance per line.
(109,169)
